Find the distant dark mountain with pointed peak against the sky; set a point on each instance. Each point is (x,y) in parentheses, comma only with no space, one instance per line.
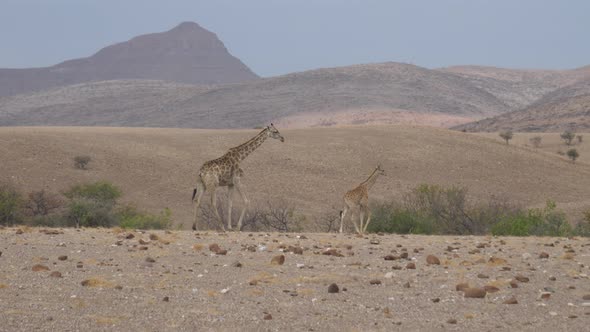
(187,53)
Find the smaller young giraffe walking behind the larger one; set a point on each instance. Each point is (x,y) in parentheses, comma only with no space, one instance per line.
(359,197)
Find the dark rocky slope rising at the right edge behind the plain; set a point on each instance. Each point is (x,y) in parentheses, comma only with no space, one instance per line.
(567,108)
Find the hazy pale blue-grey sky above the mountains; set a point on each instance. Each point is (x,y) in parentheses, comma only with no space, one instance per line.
(280,36)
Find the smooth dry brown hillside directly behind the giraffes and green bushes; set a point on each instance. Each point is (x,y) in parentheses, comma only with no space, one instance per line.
(156,168)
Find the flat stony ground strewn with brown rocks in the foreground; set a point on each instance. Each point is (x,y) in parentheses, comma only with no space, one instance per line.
(110,279)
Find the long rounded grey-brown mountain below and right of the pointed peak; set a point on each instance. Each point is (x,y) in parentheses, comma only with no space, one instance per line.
(359,94)
